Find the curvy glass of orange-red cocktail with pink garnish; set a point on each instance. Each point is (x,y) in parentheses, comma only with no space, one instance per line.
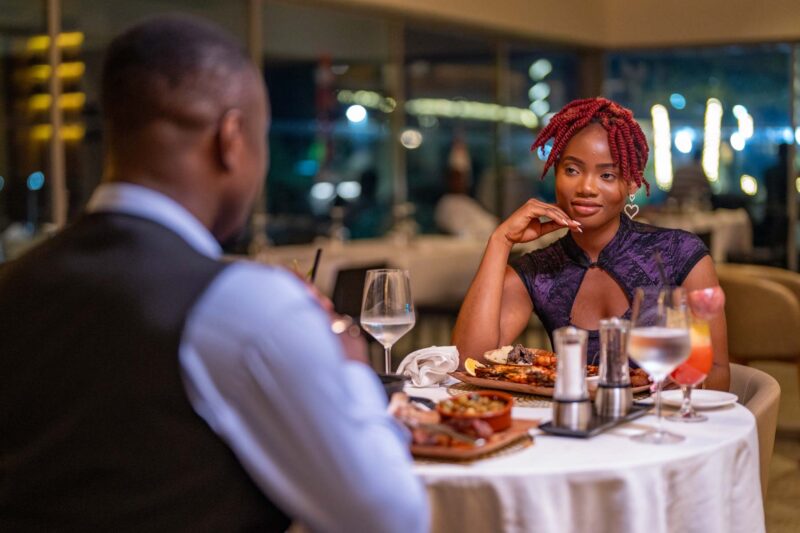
(704,305)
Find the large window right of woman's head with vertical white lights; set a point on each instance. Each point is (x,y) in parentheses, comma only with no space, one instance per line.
(727,106)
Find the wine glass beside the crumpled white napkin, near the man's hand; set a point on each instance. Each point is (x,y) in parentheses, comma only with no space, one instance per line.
(387,311)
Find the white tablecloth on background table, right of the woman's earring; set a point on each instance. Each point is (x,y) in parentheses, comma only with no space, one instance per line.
(730,229)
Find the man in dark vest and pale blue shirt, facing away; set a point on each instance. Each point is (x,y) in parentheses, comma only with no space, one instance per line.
(146,385)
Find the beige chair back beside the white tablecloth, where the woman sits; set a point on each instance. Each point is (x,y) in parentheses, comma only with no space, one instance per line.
(760,393)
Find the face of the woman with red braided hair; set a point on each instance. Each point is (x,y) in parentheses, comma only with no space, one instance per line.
(589,186)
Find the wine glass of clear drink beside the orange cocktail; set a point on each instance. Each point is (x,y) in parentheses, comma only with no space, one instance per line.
(659,342)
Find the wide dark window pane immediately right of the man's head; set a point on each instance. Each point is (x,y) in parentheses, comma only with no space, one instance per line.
(329,139)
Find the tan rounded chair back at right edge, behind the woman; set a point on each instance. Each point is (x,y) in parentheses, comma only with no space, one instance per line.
(763,315)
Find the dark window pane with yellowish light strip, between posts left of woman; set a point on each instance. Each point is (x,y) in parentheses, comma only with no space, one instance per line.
(451,83)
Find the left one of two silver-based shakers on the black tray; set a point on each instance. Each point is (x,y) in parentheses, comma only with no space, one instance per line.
(571,405)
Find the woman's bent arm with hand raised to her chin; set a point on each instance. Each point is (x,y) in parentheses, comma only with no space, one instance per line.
(497,307)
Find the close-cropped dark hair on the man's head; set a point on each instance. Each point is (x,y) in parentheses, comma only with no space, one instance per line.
(174,69)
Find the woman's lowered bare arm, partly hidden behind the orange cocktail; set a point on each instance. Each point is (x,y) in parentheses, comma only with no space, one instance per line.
(703,276)
